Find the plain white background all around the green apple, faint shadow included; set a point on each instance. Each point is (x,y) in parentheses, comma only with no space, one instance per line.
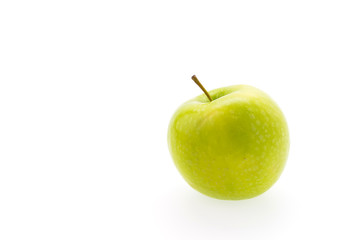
(87,89)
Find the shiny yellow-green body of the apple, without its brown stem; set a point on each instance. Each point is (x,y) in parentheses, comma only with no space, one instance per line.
(232,148)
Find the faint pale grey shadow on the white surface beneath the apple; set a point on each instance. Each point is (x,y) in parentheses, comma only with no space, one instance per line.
(198,214)
